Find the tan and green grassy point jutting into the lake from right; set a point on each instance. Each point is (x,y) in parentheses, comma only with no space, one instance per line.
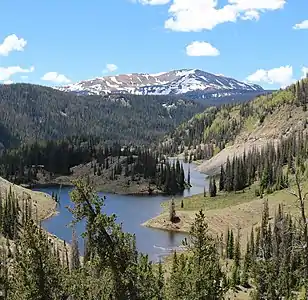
(227,214)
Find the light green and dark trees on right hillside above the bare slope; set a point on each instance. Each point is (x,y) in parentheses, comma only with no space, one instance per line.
(209,132)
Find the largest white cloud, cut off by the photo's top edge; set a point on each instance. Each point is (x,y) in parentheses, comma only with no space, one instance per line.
(197,15)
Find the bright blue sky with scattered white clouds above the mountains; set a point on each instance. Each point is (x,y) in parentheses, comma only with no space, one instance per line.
(58,42)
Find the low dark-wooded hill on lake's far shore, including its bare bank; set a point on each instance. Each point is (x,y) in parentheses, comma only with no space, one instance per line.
(116,169)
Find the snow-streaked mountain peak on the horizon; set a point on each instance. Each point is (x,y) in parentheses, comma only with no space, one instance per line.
(192,83)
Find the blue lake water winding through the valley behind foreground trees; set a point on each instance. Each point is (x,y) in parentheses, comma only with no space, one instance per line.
(131,211)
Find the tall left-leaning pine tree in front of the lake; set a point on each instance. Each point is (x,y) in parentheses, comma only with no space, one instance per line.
(114,251)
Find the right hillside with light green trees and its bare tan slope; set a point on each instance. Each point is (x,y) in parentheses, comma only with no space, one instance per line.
(229,130)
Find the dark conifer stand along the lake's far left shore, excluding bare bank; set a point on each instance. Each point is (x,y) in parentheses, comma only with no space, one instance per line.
(54,158)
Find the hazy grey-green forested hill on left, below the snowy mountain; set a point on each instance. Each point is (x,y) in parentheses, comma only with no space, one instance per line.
(31,112)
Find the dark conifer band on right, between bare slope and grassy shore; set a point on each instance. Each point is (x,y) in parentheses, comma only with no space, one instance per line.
(265,165)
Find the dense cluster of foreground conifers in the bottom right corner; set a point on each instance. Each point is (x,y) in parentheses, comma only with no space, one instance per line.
(273,264)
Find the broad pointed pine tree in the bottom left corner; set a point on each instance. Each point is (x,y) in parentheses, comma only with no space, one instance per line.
(36,273)
